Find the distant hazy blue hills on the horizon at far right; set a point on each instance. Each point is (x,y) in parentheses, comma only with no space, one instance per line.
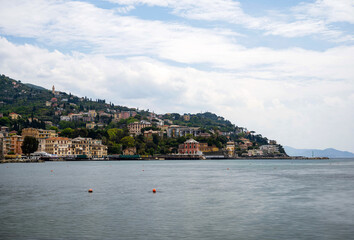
(329,152)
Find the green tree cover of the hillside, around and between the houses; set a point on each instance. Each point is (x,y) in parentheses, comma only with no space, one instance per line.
(42,108)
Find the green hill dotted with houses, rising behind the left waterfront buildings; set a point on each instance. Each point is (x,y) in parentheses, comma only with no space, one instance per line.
(123,129)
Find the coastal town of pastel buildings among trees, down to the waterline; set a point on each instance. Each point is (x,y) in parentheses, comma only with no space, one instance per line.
(100,130)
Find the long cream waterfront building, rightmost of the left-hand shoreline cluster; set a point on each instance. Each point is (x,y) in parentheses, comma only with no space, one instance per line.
(89,147)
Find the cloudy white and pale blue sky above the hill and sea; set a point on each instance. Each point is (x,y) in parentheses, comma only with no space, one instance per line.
(284,69)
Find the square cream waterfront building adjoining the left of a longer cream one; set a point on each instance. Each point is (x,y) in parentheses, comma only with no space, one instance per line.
(60,146)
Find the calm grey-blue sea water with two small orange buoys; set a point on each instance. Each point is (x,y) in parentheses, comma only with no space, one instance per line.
(253,199)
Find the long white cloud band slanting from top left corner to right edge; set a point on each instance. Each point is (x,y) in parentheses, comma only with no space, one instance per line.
(83,26)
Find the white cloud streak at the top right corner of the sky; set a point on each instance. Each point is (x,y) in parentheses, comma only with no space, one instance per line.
(305,19)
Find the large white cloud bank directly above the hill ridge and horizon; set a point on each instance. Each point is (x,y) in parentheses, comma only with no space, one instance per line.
(316,112)
